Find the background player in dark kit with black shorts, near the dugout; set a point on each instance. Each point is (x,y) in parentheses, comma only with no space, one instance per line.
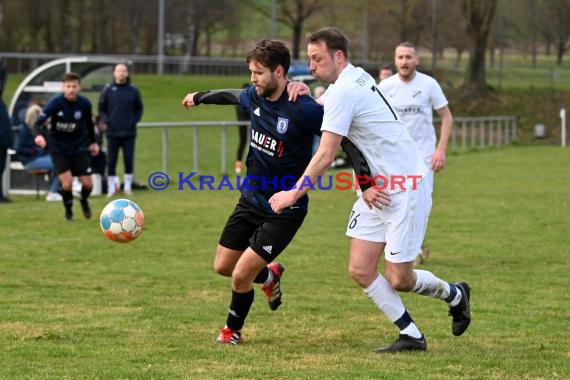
(69,139)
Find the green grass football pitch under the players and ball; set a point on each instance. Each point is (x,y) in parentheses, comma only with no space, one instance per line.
(74,305)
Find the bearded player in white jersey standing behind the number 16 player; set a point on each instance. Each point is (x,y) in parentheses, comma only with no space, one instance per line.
(415,95)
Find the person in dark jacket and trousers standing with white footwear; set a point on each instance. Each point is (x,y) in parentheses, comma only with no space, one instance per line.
(120,109)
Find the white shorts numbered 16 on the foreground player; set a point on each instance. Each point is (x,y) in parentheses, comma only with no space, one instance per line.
(402,225)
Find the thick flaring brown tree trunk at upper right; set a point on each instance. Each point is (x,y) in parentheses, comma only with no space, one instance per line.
(478,15)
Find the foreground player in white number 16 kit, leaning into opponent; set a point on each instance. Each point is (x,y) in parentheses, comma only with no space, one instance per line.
(391,221)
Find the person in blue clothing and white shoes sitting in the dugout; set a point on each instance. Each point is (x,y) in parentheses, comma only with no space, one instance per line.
(32,156)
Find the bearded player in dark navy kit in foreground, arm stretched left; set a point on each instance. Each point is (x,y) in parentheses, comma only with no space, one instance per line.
(282,134)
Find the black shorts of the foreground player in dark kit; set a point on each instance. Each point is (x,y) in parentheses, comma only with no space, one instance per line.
(268,234)
